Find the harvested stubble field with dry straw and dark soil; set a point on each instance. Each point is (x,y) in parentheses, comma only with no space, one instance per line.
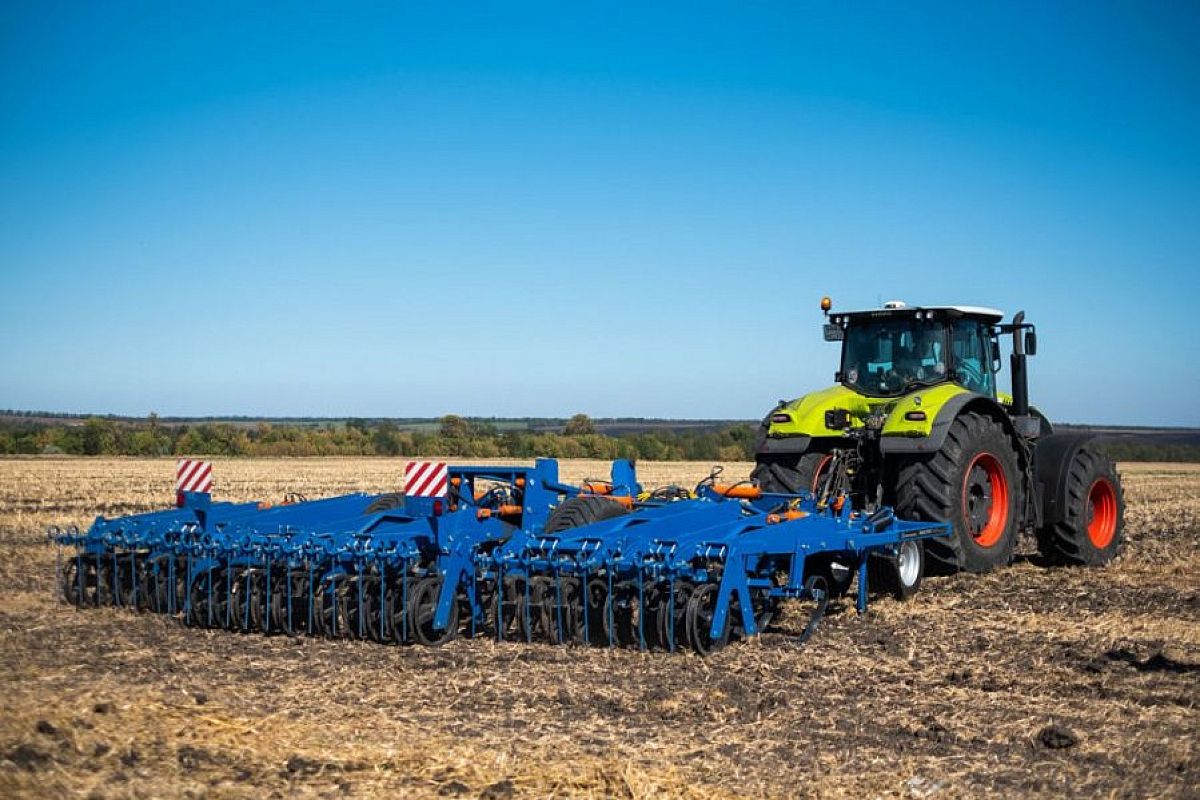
(1025,682)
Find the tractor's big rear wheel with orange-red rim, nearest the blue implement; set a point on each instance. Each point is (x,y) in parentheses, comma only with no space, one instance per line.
(975,484)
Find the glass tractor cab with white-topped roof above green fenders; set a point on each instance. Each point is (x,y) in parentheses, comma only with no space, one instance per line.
(899,348)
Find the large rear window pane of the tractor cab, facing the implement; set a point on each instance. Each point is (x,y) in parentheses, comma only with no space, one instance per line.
(887,358)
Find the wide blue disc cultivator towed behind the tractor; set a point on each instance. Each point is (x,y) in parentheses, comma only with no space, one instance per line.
(491,557)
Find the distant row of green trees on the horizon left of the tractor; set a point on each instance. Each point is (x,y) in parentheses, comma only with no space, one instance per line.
(454,436)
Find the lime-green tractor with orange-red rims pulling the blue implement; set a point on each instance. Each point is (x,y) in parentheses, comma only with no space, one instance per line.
(916,423)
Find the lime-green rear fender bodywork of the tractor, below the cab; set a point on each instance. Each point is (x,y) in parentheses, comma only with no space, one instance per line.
(825,414)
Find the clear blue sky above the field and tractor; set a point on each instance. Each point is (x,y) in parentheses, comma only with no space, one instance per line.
(539,209)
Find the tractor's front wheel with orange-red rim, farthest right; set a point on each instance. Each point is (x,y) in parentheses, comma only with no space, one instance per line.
(1089,527)
